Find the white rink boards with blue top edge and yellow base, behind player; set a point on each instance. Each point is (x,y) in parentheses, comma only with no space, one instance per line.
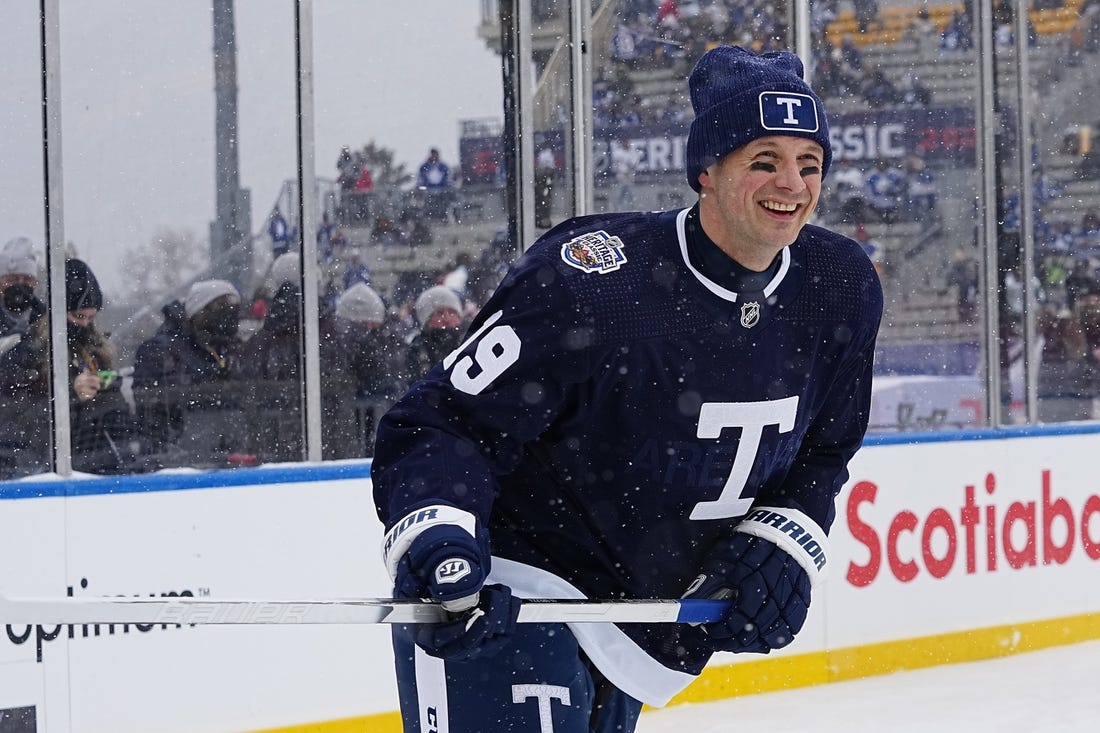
(950,551)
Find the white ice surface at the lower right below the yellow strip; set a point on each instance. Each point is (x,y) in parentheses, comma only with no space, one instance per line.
(1049,692)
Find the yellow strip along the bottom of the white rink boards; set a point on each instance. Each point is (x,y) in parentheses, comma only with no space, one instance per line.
(765,675)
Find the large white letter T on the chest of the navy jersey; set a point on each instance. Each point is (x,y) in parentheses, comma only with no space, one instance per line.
(751,418)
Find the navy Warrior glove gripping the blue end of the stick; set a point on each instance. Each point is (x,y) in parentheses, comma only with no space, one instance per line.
(767,570)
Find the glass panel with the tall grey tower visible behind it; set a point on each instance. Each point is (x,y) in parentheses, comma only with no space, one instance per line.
(179,141)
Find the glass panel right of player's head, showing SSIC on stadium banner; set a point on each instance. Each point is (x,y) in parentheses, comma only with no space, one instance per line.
(900,83)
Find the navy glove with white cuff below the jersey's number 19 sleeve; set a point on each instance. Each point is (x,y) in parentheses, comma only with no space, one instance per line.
(439,553)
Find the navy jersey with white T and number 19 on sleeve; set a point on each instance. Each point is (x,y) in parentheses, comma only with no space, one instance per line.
(613,413)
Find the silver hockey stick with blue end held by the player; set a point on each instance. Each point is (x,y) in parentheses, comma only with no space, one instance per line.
(191,611)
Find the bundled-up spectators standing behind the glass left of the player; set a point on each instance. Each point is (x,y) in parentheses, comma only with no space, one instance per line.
(219,384)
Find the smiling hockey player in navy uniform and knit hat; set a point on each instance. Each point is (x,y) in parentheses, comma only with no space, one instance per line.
(651,406)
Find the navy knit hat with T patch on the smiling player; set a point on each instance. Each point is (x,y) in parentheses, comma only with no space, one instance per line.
(740,96)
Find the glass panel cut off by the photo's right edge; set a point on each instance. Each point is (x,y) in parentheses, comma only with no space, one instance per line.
(1063,42)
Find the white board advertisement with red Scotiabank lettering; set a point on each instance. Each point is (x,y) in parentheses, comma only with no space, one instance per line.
(949,537)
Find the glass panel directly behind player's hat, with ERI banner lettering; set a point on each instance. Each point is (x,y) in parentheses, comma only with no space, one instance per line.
(644,54)
